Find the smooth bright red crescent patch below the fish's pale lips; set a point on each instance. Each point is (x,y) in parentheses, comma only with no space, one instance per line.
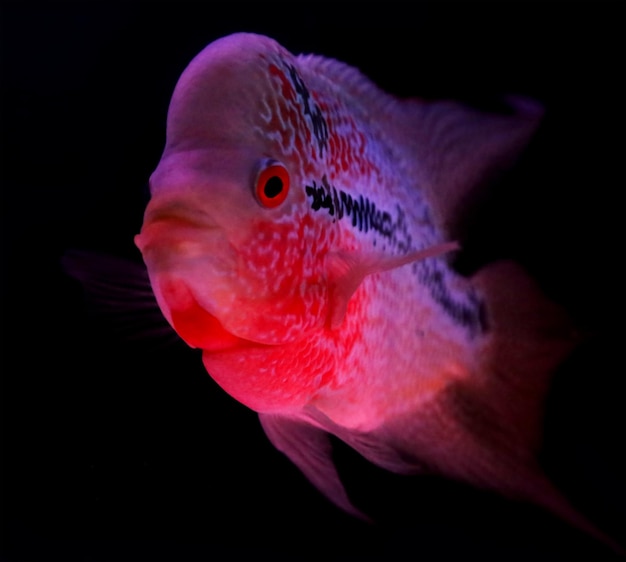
(196,326)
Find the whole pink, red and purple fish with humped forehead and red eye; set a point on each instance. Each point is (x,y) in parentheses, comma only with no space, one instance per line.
(299,233)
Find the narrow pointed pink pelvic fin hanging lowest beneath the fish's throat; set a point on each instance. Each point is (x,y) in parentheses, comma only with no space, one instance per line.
(310,449)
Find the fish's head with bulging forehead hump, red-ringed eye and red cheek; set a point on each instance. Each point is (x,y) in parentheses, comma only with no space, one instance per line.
(234,254)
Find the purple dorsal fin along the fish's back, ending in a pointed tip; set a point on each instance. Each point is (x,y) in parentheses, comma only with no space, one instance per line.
(454,149)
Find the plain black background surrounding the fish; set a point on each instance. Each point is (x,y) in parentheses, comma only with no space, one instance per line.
(126,450)
